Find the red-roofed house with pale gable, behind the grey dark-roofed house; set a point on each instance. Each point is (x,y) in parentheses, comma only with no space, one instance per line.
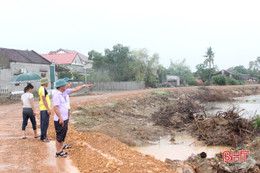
(72,59)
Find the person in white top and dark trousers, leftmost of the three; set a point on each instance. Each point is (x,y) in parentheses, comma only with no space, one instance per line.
(28,110)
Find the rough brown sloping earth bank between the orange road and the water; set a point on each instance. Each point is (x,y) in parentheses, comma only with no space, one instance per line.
(141,120)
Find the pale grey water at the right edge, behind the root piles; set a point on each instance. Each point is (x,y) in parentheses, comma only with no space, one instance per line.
(250,104)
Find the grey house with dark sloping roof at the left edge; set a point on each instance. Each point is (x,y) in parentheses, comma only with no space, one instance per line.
(14,62)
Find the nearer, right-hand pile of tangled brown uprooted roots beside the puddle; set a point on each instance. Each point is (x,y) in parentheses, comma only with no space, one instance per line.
(226,128)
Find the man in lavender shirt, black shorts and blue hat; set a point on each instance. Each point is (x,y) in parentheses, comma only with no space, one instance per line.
(61,116)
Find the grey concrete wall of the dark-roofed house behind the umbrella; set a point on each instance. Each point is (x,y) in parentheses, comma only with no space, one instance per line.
(8,73)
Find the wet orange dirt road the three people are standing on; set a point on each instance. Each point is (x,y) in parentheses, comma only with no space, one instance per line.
(91,152)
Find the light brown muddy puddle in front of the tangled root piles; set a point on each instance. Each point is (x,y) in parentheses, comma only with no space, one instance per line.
(183,147)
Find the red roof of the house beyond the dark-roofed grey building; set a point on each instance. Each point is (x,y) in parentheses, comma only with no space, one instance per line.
(63,58)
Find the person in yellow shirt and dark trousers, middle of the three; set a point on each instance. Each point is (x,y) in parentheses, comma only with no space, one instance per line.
(45,108)
